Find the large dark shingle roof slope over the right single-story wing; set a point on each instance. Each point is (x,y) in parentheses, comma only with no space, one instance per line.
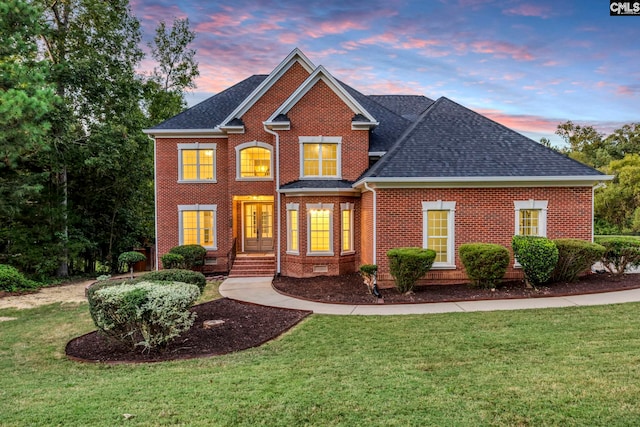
(449,140)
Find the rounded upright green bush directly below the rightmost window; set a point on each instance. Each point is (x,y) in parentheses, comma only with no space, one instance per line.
(538,257)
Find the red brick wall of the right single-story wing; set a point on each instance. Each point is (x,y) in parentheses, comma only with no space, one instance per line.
(482,215)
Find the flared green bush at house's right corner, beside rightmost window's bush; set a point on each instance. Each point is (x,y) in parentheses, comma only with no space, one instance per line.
(575,257)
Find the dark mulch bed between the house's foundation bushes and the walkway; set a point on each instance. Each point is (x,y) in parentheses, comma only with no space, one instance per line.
(350,289)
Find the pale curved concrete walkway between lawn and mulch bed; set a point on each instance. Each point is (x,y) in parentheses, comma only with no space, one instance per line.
(258,290)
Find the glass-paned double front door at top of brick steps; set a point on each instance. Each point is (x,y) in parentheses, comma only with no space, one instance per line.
(258,227)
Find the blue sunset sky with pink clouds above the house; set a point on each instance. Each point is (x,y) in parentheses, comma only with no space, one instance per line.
(529,64)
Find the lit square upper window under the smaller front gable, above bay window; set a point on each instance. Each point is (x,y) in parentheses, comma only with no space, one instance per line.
(320,157)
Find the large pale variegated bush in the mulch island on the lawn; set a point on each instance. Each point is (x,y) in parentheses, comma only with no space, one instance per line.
(144,315)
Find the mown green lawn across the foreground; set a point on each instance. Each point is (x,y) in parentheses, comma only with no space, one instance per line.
(571,366)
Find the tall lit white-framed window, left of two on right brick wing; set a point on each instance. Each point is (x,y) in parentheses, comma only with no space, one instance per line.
(438,231)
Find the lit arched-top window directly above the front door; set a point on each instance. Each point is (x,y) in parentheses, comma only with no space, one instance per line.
(254,161)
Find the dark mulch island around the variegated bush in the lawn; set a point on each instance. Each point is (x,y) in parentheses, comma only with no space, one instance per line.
(246,326)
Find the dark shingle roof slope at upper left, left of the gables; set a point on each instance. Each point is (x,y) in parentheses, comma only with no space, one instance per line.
(212,111)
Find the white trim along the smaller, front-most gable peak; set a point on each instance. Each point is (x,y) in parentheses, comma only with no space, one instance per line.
(318,74)
